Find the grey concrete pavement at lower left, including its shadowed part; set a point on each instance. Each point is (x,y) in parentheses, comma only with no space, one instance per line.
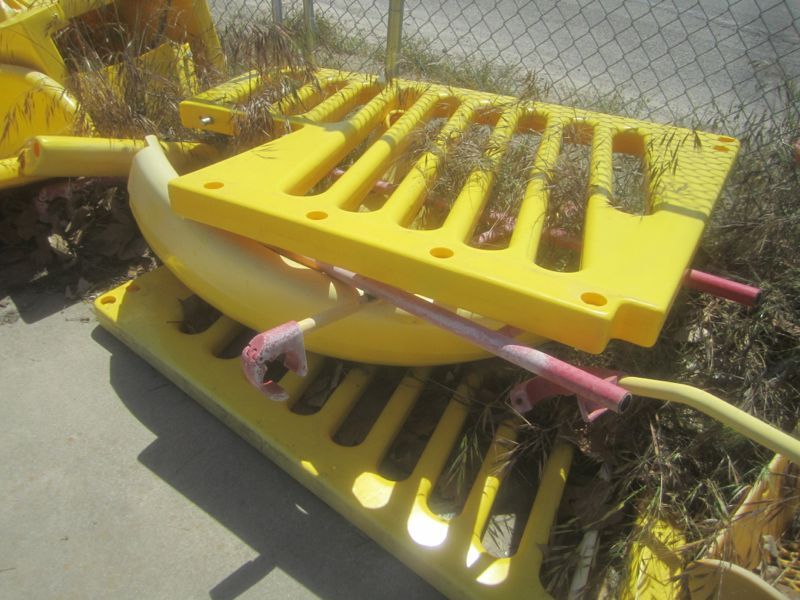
(115,484)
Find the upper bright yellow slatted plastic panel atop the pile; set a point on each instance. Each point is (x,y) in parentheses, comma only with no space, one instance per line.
(631,265)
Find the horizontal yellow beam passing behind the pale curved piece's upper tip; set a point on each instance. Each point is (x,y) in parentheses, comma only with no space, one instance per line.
(66,156)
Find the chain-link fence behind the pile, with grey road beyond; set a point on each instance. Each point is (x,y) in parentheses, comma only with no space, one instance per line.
(716,64)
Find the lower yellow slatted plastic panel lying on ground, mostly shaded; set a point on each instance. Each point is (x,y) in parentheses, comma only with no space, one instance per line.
(146,315)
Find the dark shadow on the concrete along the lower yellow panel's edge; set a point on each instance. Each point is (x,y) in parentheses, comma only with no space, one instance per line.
(287,525)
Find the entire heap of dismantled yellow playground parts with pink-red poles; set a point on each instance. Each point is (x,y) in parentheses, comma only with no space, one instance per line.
(317,237)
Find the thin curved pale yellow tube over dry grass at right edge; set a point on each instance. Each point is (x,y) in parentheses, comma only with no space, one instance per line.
(716,408)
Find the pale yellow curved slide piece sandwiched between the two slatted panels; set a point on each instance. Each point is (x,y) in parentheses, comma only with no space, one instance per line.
(259,288)
